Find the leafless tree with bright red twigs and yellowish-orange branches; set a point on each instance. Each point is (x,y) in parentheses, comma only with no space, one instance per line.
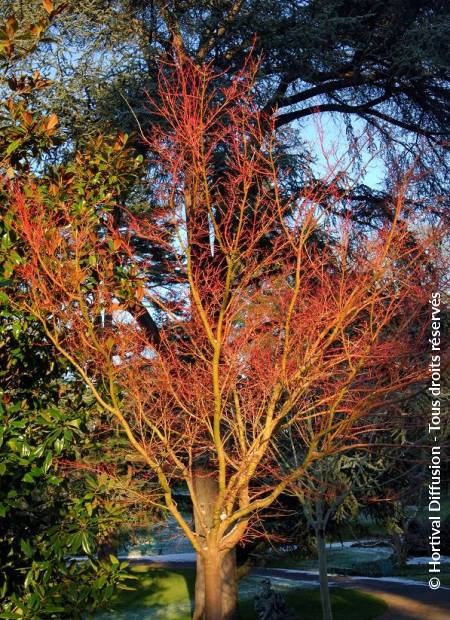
(271,317)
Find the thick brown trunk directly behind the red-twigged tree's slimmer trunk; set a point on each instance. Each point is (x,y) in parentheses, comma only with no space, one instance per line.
(206,492)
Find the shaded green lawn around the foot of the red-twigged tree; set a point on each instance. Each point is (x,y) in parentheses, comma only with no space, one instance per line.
(163,594)
